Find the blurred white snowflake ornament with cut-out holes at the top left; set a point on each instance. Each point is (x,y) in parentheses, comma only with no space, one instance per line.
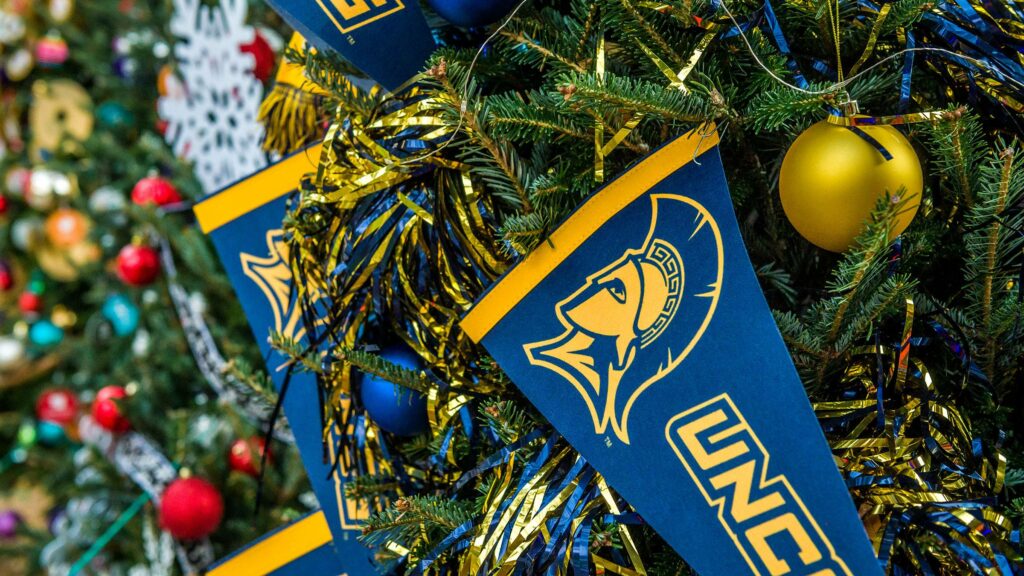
(215,124)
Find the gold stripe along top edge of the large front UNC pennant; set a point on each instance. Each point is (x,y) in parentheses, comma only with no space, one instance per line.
(527,275)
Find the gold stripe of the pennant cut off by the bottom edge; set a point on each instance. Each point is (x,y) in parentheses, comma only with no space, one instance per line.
(278,550)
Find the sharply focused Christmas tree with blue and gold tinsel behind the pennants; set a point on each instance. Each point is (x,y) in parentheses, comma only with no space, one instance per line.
(898,293)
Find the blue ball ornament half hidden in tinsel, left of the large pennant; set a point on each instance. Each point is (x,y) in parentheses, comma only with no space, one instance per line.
(394,408)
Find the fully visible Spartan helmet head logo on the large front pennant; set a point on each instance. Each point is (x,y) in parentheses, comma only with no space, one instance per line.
(631,310)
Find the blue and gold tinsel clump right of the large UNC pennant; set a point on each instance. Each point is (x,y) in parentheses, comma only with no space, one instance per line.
(919,484)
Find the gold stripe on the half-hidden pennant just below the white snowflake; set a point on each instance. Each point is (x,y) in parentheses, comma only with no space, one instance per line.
(260,189)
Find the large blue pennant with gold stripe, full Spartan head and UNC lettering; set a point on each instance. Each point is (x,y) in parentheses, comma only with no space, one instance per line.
(642,333)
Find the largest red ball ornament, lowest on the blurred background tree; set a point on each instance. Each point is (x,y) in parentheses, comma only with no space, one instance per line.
(191,509)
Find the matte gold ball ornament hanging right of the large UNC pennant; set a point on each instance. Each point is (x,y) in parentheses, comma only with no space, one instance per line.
(832,180)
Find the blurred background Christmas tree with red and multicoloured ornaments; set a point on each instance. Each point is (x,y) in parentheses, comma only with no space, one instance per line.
(130,392)
